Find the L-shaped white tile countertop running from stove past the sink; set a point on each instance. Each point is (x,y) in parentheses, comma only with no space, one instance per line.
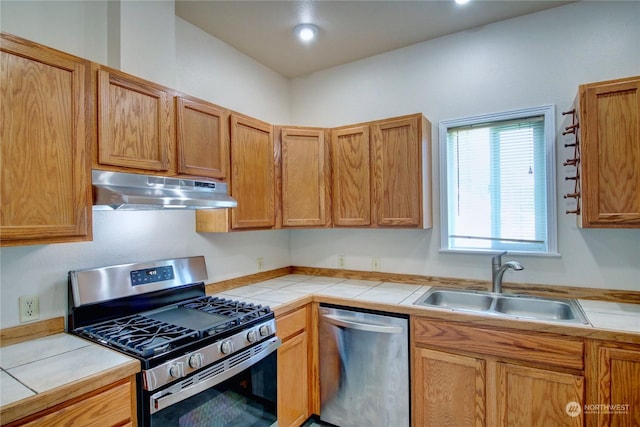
(281,291)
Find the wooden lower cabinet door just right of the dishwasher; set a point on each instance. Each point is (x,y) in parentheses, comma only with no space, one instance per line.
(448,390)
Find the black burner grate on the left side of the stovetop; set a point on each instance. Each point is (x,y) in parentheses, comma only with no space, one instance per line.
(141,335)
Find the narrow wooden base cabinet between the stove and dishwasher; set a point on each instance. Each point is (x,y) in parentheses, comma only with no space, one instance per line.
(295,390)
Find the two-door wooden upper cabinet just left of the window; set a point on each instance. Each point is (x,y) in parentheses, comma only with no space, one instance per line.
(381,173)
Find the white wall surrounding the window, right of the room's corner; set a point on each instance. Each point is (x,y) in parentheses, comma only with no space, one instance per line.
(522,62)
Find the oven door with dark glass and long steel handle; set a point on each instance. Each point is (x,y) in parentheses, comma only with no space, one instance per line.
(238,391)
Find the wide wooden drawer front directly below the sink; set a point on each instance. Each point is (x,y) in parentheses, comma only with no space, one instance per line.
(548,349)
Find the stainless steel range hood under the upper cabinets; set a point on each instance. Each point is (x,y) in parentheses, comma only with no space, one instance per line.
(126,191)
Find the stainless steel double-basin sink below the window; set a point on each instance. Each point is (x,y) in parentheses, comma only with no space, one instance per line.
(516,306)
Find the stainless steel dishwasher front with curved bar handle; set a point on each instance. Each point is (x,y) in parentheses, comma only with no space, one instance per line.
(364,368)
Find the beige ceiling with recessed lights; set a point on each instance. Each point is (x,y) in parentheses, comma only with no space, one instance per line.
(348,30)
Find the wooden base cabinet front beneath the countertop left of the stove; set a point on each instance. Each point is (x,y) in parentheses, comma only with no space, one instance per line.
(113,405)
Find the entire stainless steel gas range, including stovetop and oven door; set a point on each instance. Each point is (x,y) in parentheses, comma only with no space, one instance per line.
(206,361)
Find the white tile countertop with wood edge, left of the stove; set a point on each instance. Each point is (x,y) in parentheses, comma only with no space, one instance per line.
(52,368)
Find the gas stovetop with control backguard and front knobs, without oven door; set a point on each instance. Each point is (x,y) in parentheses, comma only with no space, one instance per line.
(158,312)
